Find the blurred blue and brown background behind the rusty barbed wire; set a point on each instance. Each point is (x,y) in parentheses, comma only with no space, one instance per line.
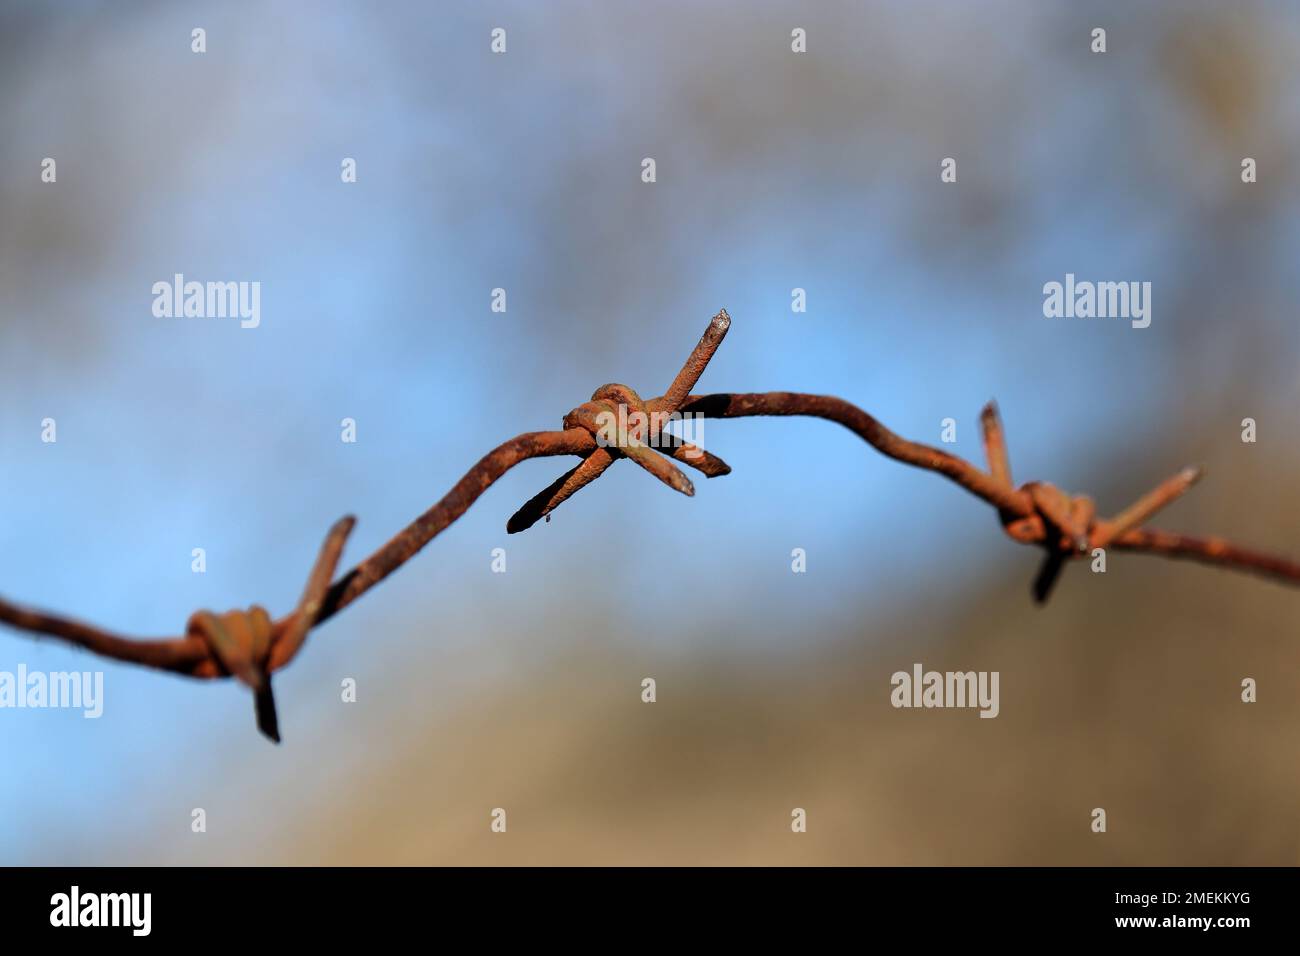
(775,171)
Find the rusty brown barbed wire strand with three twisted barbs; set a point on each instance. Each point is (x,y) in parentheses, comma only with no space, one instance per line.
(250,646)
